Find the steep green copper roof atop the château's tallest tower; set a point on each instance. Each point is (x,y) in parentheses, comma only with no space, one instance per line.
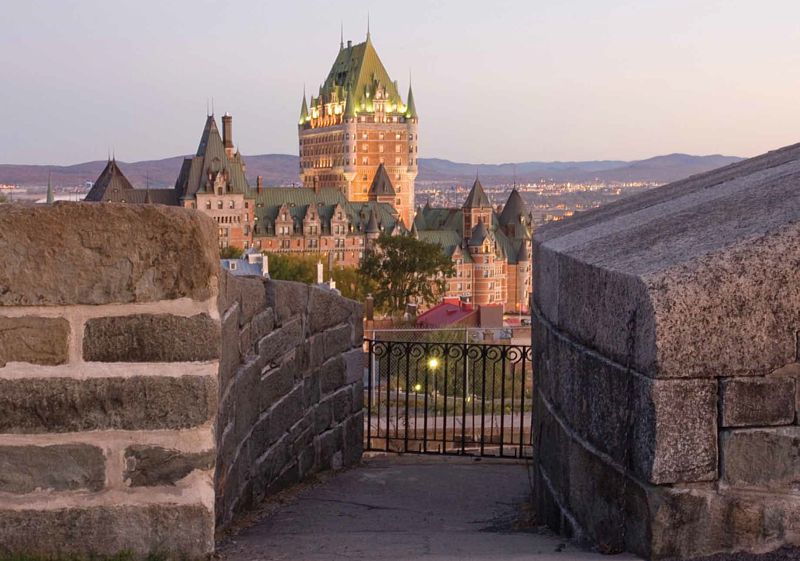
(358,69)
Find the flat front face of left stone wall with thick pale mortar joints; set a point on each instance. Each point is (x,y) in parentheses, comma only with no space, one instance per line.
(109,347)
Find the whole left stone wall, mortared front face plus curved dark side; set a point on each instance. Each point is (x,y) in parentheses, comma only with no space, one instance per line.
(144,396)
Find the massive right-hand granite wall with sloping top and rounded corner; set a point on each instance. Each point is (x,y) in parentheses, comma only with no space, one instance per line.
(665,351)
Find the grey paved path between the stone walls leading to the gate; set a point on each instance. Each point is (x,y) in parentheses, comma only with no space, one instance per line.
(407,508)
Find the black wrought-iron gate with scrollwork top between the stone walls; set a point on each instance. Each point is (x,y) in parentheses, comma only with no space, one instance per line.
(449,398)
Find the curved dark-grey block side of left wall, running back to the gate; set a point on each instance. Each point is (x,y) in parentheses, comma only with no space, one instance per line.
(291,388)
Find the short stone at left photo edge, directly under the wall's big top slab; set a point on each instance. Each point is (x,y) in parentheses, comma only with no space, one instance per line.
(34,339)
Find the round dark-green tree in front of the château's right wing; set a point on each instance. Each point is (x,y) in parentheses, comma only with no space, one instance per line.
(401,269)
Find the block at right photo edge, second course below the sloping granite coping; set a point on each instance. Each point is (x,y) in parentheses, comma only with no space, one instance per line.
(762,458)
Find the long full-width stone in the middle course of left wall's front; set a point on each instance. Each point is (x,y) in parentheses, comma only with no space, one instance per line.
(35,405)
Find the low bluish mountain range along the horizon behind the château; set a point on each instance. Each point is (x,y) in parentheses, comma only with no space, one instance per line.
(282,169)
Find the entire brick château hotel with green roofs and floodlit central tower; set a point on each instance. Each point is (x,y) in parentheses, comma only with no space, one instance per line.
(358,144)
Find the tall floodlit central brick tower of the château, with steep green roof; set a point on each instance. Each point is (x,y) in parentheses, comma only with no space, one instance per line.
(356,124)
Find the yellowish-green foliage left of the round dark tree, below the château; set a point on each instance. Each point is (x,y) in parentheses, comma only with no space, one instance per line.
(302,267)
